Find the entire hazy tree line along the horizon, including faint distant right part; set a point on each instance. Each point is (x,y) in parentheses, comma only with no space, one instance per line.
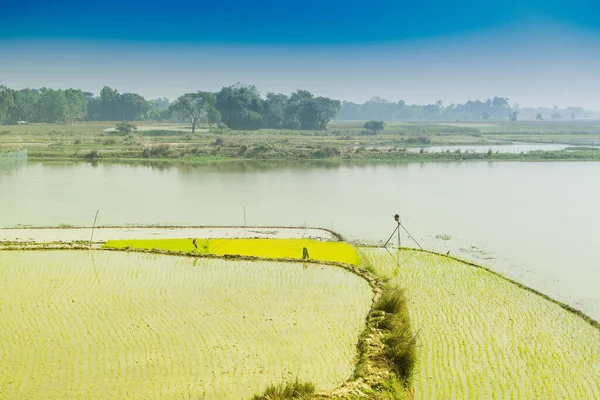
(243,107)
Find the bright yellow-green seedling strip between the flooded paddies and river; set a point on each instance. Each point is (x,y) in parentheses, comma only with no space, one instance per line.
(263,248)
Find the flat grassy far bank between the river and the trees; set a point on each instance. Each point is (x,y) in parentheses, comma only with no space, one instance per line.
(342,141)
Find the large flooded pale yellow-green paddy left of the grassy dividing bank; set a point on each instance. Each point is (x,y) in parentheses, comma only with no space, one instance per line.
(81,324)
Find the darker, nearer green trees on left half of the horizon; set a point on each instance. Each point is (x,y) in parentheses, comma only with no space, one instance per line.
(237,106)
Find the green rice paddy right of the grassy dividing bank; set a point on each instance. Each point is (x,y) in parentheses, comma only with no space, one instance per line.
(480,336)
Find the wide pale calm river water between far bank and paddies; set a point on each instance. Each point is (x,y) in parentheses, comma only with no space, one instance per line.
(538,223)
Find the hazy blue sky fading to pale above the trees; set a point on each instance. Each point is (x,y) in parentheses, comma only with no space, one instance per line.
(534,52)
